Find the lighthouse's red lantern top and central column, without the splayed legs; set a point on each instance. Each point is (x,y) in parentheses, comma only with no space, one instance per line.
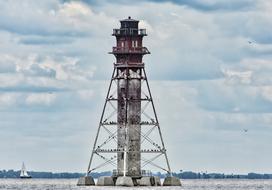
(129,52)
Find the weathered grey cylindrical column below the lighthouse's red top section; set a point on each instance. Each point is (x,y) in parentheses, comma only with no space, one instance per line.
(129,115)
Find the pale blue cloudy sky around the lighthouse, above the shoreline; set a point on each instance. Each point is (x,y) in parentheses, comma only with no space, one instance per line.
(209,70)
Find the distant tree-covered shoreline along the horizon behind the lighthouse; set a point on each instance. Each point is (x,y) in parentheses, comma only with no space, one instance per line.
(182,175)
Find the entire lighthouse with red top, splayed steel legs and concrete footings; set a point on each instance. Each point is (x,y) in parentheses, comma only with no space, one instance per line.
(125,120)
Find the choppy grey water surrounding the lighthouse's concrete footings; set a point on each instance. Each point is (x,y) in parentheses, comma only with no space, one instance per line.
(67,184)
